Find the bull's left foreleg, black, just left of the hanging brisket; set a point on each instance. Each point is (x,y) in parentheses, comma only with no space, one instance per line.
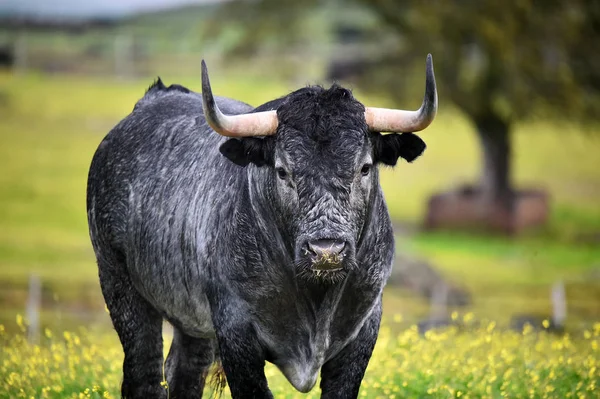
(241,354)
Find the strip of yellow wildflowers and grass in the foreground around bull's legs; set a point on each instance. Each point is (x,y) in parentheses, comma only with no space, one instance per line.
(477,362)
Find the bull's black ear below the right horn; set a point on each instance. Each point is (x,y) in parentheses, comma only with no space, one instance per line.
(388,148)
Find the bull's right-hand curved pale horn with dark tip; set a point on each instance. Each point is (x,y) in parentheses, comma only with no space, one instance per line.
(397,120)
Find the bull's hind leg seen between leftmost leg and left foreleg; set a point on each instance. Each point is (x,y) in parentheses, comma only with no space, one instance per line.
(187,365)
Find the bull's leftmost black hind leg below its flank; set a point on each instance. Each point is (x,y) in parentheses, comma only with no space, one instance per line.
(139,327)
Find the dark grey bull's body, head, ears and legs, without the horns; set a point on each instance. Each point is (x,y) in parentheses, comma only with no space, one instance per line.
(255,249)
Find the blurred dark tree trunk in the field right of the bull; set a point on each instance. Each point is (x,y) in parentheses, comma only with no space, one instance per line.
(495,182)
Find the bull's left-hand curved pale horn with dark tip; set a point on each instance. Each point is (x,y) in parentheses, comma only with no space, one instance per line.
(256,124)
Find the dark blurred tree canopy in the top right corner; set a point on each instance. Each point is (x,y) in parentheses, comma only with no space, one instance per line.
(505,58)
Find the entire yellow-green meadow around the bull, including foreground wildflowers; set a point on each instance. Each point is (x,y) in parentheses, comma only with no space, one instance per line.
(51,125)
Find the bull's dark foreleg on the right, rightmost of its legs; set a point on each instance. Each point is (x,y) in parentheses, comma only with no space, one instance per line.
(341,376)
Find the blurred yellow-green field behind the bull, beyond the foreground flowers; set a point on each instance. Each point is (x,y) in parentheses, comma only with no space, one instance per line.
(51,126)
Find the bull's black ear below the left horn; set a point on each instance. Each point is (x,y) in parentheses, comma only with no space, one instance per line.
(248,150)
